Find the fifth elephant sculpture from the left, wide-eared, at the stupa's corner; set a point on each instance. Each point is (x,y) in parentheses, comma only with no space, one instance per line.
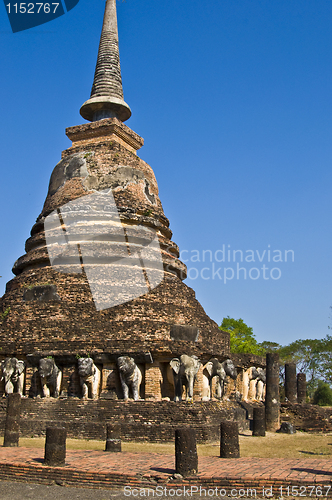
(184,371)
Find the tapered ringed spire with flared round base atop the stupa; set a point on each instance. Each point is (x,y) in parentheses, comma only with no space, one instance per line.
(106,98)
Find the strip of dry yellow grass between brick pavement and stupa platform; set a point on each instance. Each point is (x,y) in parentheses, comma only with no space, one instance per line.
(299,445)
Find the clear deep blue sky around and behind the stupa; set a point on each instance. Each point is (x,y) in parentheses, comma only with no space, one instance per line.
(234,102)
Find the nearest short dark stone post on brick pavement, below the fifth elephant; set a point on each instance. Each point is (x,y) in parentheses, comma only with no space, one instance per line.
(186,460)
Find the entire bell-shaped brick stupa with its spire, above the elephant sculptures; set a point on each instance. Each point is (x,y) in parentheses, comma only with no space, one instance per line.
(84,285)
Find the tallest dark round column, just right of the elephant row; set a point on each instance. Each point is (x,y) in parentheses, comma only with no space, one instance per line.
(272,398)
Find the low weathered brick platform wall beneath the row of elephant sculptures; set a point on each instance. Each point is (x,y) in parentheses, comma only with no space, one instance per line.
(140,420)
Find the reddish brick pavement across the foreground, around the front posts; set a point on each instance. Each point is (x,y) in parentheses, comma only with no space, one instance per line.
(148,470)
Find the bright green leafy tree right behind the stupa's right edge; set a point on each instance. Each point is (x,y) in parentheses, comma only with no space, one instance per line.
(242,338)
